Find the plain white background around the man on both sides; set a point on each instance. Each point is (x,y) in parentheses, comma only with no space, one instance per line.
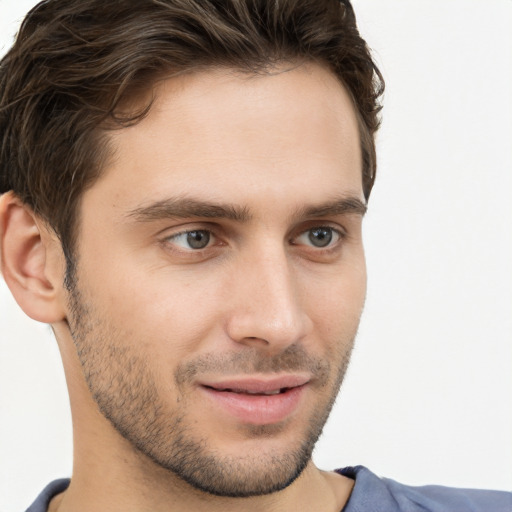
(428,397)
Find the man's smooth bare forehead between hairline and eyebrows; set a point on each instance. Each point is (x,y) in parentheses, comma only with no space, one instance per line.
(224,134)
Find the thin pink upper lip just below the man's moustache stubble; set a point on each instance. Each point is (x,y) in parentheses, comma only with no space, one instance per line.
(253,384)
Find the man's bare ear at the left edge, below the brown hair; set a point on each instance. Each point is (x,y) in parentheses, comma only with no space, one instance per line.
(31,261)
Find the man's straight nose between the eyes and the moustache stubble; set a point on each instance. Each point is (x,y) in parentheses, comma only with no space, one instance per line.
(268,307)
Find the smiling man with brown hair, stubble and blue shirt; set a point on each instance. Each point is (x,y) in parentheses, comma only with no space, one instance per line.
(184,185)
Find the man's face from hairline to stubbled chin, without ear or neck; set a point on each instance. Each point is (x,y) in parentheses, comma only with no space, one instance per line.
(220,275)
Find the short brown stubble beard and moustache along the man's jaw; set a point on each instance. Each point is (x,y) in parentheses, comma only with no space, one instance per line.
(122,384)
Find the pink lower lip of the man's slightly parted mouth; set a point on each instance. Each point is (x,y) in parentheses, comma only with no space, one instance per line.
(257,409)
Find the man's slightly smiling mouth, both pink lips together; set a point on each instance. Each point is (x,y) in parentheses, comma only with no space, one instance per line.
(256,401)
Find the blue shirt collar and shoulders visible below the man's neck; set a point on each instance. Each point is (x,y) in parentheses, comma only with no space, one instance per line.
(374,494)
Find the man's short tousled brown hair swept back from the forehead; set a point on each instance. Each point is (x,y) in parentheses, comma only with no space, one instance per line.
(75,61)
